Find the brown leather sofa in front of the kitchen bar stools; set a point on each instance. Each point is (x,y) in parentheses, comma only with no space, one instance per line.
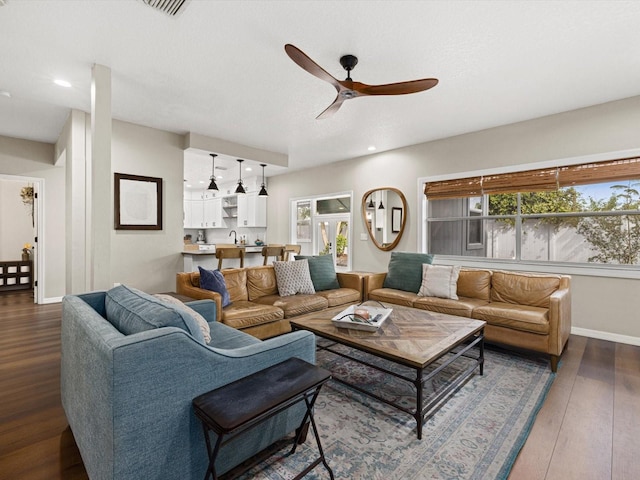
(257,309)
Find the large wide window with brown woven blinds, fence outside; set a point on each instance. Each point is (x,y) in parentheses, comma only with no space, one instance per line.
(576,214)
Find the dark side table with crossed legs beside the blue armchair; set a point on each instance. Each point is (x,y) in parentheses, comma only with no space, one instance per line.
(241,405)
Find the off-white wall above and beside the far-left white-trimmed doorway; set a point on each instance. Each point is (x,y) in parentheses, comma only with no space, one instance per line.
(36,159)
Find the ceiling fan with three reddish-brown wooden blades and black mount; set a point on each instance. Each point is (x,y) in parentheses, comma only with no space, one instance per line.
(347,88)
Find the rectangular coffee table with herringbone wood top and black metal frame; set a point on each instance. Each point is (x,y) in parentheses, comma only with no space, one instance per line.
(410,337)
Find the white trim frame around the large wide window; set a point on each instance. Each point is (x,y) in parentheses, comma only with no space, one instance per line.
(586,269)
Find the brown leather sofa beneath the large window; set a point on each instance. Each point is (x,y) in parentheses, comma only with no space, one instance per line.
(525,310)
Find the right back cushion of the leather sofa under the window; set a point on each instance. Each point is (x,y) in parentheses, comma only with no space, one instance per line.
(523,288)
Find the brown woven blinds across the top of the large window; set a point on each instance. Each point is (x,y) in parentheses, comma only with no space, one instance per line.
(544,179)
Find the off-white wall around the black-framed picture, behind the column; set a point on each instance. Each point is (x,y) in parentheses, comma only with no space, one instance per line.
(144,259)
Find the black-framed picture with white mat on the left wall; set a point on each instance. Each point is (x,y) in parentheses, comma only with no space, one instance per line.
(138,202)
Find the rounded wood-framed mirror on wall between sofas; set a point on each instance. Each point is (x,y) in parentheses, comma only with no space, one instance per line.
(384,212)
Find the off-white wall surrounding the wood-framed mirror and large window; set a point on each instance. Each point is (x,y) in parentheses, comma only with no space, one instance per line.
(605,305)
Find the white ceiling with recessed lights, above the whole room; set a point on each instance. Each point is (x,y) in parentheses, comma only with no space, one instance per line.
(219,68)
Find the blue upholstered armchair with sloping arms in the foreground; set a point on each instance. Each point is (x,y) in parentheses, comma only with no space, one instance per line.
(128,397)
